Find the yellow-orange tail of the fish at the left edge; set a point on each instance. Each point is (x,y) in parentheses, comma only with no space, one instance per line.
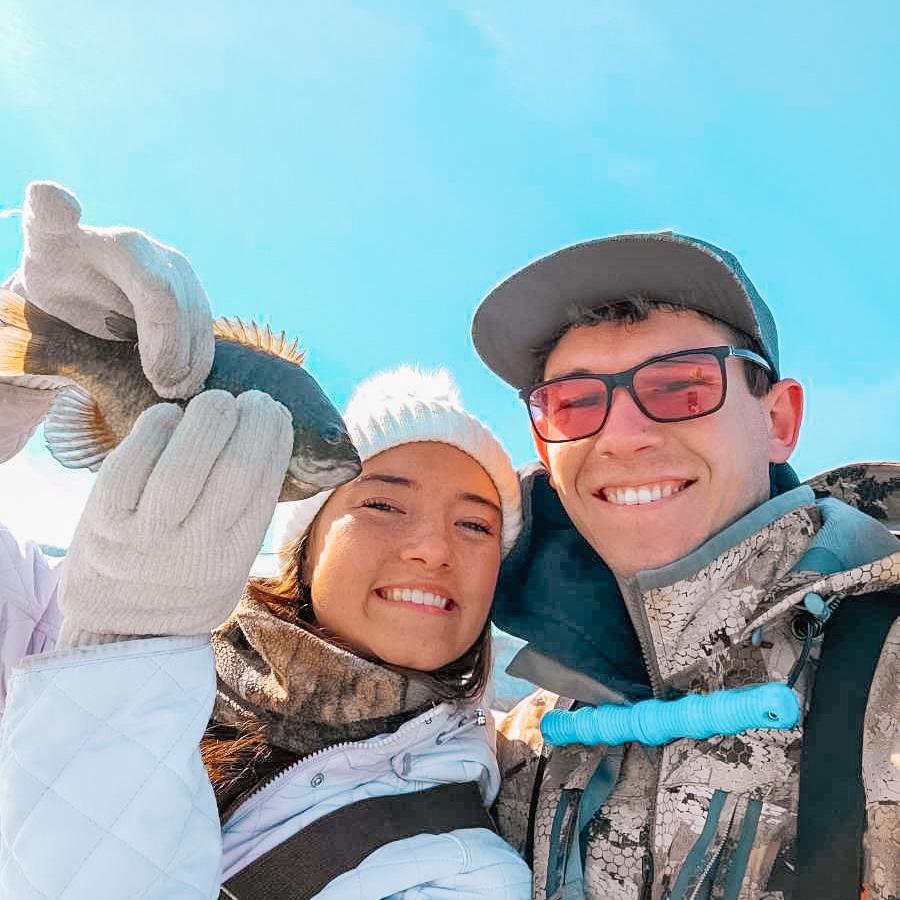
(29,337)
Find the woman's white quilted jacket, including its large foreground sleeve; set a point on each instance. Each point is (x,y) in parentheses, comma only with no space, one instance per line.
(103,793)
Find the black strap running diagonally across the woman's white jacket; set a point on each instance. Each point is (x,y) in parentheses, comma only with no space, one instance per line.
(301,866)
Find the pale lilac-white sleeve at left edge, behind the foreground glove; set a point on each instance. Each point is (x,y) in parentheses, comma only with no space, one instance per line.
(29,615)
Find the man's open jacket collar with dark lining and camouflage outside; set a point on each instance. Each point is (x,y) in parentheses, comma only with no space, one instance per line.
(568,608)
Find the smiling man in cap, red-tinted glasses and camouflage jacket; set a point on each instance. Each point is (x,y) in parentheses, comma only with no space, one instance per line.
(669,550)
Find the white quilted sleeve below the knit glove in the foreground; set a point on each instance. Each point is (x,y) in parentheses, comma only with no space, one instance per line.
(103,795)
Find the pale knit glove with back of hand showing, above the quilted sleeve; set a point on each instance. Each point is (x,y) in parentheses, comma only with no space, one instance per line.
(175,519)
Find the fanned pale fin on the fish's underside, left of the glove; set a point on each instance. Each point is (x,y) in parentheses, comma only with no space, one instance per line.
(77,433)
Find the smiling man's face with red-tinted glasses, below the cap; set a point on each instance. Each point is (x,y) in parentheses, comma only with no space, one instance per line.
(643,491)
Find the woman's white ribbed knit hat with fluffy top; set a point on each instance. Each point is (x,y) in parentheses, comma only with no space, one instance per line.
(403,406)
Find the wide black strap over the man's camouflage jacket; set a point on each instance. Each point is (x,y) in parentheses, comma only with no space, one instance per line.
(832,811)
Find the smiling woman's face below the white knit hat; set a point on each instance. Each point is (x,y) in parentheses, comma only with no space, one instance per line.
(402,562)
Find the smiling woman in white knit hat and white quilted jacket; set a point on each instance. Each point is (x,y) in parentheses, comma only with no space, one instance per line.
(348,686)
